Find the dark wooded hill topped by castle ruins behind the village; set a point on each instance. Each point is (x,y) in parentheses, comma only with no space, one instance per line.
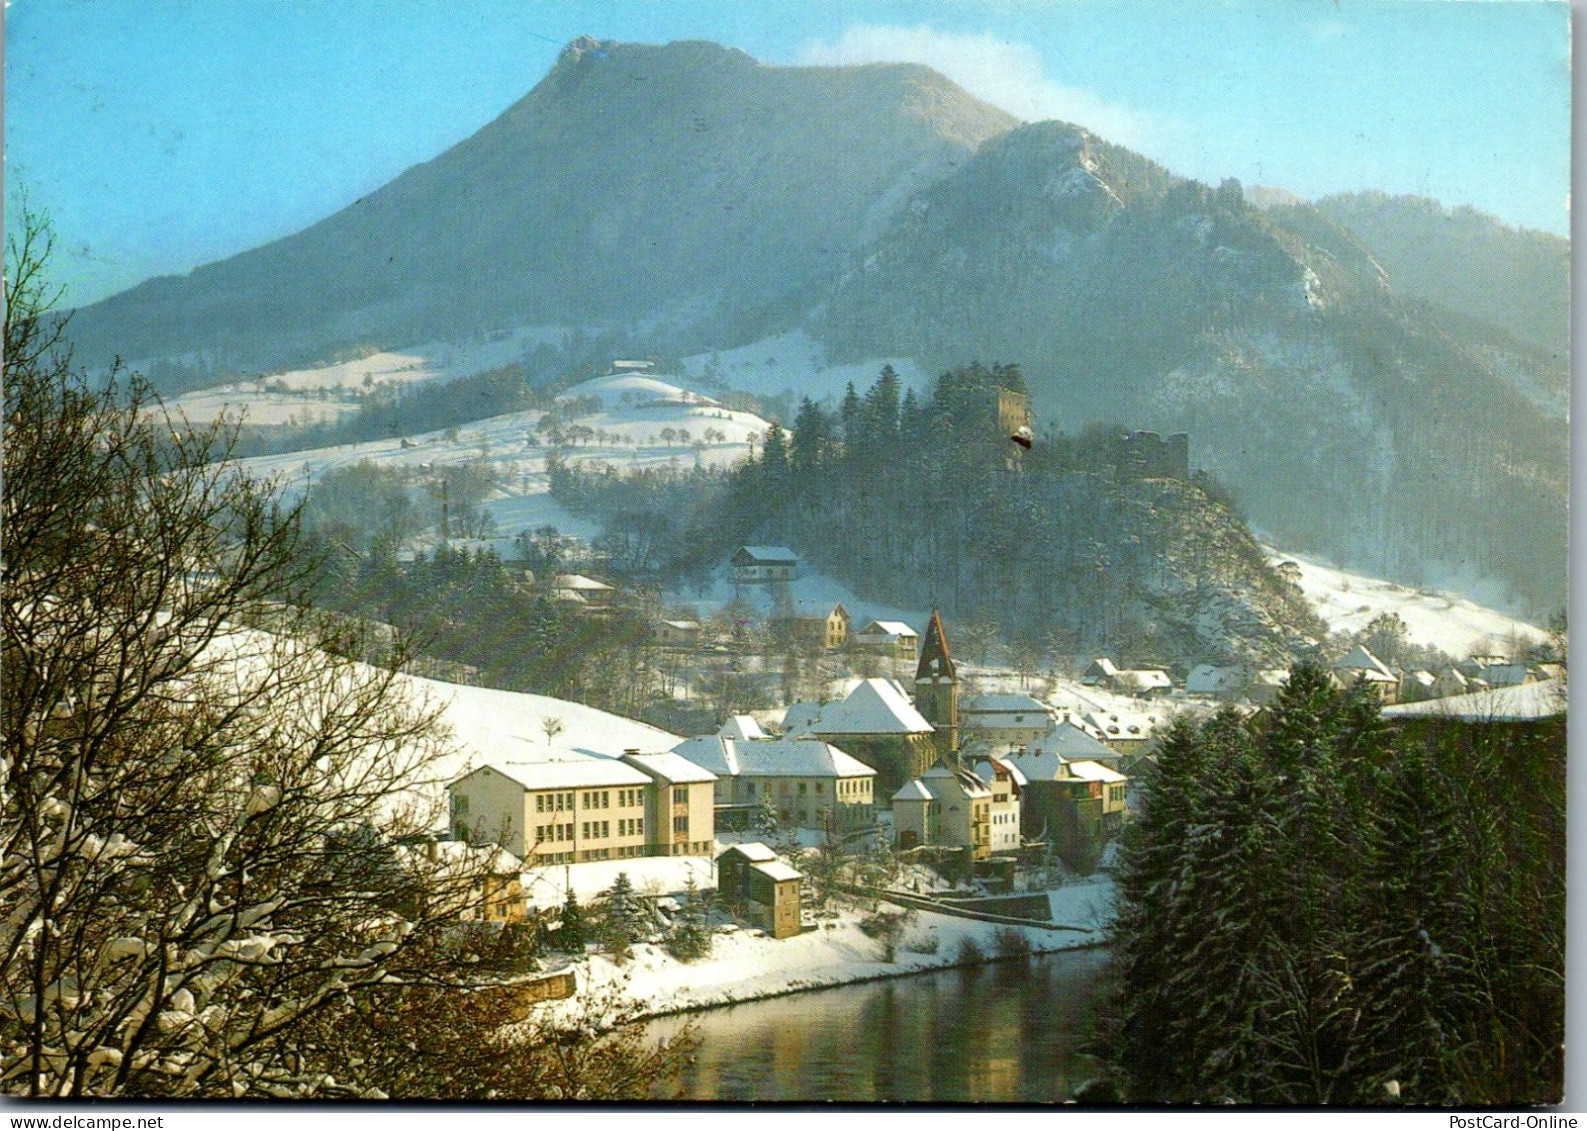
(924,502)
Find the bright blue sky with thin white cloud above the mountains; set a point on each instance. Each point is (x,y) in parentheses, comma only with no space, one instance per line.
(167,134)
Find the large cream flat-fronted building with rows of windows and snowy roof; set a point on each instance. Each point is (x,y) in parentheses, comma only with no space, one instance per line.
(583,810)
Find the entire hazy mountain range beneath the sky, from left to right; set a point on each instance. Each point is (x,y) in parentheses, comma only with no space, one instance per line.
(1375,383)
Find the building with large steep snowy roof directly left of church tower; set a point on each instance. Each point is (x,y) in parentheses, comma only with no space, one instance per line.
(875,724)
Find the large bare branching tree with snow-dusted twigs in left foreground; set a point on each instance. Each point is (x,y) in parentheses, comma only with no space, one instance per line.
(212,816)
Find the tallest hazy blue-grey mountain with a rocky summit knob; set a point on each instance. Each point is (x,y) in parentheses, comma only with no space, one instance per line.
(631,182)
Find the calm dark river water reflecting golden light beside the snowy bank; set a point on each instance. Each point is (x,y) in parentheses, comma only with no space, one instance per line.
(1002,1033)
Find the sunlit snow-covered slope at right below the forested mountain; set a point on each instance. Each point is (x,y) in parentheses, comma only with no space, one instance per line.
(1445,621)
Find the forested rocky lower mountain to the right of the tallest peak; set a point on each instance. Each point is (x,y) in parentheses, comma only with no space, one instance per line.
(1351,418)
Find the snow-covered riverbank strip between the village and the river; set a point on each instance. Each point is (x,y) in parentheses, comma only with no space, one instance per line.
(747,965)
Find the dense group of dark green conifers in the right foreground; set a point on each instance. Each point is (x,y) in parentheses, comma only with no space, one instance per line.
(1321,907)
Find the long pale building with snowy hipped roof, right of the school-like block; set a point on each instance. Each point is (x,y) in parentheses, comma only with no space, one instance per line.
(813,784)
